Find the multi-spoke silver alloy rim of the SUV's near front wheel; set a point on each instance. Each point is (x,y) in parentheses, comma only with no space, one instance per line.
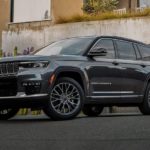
(65,98)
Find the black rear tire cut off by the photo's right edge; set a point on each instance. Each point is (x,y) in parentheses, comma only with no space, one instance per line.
(145,106)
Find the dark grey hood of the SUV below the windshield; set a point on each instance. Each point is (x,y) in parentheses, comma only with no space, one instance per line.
(47,58)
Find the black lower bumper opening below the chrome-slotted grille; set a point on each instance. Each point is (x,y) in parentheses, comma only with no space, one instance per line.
(8,87)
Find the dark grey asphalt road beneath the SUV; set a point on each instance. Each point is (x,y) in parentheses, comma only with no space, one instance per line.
(116,132)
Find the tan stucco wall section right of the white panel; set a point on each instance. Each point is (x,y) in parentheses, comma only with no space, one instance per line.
(66,8)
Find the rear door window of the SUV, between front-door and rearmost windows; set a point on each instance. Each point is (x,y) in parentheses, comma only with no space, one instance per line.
(126,50)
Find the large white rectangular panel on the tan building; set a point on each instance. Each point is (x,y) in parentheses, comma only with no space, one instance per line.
(31,10)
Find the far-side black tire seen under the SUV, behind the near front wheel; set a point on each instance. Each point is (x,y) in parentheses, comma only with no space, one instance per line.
(92,110)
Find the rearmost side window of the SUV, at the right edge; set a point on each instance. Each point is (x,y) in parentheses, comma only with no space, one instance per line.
(145,52)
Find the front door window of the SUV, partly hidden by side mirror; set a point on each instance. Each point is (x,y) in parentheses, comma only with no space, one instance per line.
(108,45)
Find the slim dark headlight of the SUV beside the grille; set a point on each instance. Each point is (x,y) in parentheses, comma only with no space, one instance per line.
(33,64)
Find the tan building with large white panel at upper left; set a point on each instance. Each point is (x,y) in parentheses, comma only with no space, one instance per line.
(21,11)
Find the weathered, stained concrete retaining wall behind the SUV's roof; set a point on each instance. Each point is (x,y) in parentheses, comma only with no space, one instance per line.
(27,37)
